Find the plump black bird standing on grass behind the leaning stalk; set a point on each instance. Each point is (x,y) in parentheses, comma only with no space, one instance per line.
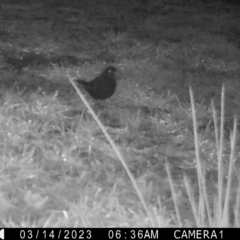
(103,86)
